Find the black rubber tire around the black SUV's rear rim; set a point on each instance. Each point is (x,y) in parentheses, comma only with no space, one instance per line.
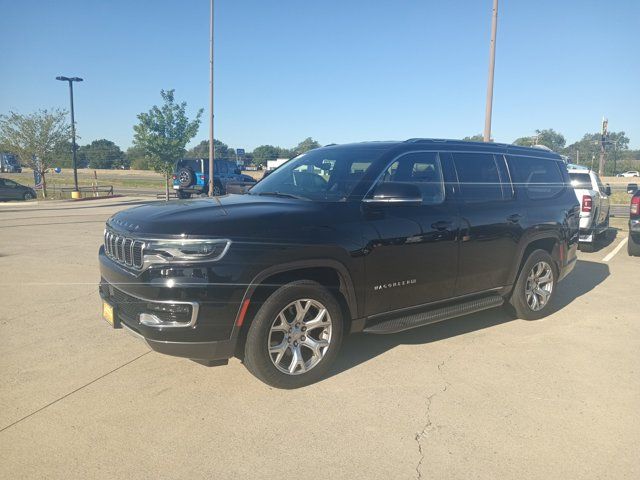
(518,301)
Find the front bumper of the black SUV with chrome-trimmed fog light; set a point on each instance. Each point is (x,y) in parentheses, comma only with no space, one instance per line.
(186,311)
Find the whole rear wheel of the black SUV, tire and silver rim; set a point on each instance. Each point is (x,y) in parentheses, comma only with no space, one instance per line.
(534,290)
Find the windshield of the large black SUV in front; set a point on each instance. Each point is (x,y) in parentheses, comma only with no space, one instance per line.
(327,174)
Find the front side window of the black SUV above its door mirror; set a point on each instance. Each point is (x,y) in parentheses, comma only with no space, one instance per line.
(422,169)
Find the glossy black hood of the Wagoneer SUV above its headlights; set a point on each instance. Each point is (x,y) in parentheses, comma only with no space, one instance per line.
(248,216)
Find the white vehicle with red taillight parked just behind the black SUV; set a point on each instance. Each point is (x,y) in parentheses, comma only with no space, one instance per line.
(595,205)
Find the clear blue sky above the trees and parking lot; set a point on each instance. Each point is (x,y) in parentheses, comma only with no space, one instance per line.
(337,70)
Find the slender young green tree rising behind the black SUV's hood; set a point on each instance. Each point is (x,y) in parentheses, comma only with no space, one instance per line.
(163,133)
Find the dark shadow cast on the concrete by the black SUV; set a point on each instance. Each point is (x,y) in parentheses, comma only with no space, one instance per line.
(360,348)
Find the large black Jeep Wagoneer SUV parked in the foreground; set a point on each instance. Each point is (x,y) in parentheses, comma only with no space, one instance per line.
(377,237)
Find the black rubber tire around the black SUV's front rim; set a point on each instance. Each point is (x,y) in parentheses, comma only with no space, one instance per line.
(257,358)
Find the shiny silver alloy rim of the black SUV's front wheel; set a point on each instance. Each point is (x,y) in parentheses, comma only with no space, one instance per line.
(300,336)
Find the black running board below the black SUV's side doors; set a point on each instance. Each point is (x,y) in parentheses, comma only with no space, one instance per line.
(408,322)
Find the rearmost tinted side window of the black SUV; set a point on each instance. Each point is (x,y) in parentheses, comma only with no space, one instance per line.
(540,178)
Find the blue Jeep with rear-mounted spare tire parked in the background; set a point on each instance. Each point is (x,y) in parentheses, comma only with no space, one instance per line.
(192,178)
